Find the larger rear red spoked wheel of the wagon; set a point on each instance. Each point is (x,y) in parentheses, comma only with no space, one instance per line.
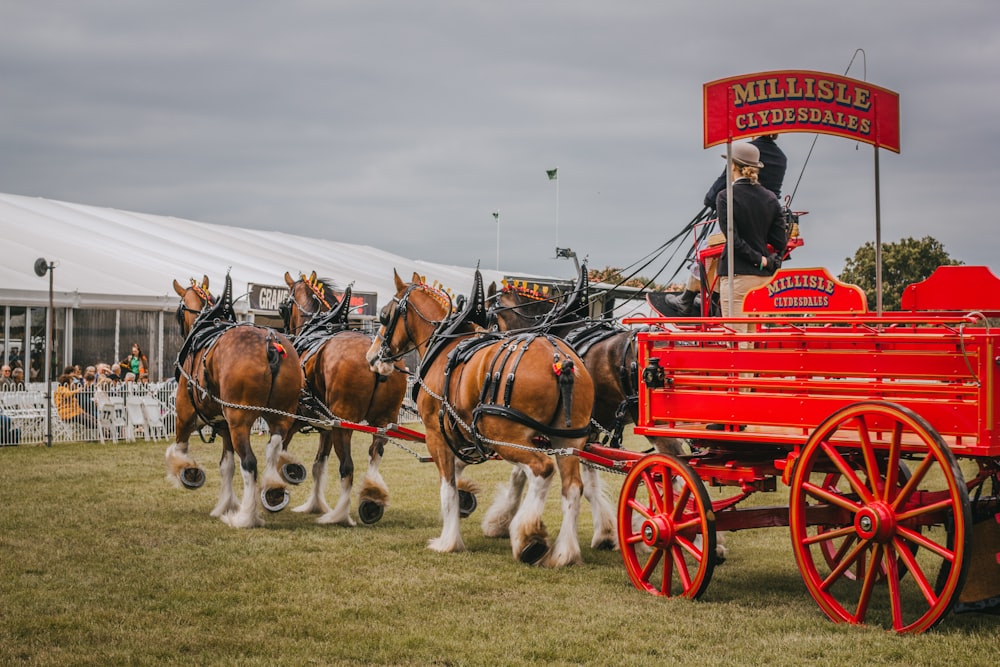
(880,518)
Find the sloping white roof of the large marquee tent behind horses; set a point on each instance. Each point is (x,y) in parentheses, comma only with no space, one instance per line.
(112,258)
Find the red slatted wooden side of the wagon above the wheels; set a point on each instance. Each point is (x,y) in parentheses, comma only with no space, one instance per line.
(777,383)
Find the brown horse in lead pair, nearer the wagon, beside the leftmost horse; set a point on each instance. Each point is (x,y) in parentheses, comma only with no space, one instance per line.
(338,375)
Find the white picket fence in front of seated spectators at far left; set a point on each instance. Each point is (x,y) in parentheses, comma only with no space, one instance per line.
(127,412)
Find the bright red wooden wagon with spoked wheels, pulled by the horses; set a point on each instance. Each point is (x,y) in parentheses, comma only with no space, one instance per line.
(883,429)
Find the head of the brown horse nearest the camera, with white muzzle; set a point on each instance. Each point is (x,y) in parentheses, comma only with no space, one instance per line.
(407,322)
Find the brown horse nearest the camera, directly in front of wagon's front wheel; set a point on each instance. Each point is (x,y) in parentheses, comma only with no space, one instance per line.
(484,396)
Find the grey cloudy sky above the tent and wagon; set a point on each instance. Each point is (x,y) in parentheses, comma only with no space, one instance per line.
(404,125)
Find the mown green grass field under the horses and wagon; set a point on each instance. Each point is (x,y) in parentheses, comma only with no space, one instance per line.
(103,562)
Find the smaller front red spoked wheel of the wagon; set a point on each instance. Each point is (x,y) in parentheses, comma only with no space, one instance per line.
(666,528)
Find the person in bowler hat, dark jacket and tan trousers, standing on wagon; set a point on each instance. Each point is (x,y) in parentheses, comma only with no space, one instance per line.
(757,223)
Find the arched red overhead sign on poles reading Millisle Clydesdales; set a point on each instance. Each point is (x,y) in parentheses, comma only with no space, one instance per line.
(800,101)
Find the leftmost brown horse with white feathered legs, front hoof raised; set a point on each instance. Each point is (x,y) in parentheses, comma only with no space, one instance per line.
(229,375)
